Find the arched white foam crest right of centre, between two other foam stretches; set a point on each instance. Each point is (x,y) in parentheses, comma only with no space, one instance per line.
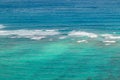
(81,34)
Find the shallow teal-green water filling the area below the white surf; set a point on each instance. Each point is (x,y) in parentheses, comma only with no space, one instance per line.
(25,59)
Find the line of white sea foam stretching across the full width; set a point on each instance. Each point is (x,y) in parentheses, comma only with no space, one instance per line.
(40,34)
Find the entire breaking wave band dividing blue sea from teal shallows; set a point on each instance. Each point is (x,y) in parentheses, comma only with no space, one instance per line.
(38,34)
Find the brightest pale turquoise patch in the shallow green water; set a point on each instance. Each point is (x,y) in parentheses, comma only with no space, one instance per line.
(47,52)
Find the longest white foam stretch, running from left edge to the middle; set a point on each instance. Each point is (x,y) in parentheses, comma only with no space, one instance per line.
(32,34)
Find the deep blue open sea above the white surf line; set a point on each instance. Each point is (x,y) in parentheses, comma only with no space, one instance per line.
(56,13)
